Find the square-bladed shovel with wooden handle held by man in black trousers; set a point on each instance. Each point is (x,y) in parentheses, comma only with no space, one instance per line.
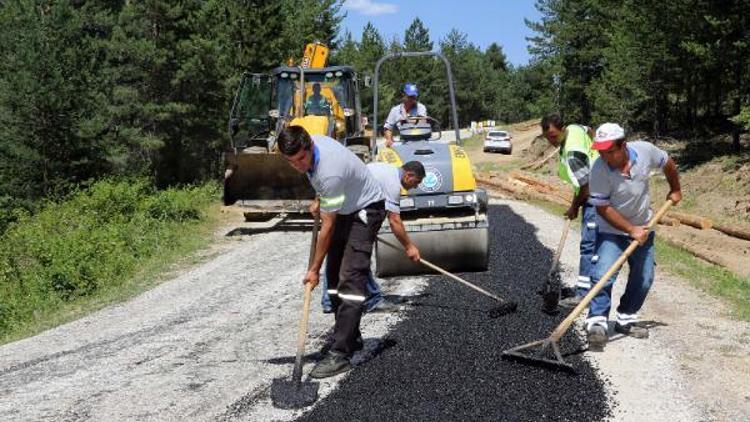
(294,394)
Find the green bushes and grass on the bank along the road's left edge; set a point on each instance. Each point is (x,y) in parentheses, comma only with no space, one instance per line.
(101,246)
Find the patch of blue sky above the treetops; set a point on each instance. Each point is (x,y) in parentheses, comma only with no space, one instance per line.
(484,21)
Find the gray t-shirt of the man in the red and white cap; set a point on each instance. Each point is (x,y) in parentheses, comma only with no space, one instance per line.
(627,194)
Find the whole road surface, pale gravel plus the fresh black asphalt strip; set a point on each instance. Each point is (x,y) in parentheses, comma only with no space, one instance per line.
(206,345)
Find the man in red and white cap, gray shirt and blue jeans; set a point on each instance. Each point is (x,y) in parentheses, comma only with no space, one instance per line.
(619,191)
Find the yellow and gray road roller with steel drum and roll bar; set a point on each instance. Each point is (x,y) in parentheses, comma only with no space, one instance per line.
(446,215)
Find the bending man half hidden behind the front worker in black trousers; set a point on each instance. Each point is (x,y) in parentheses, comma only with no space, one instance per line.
(391,180)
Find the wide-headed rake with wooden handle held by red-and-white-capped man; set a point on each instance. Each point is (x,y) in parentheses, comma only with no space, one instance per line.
(538,357)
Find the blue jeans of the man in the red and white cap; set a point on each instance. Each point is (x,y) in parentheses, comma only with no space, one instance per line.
(609,247)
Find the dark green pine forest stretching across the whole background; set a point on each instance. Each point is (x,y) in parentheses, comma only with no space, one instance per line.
(94,89)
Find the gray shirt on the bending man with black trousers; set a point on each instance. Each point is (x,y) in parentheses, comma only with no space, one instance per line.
(340,178)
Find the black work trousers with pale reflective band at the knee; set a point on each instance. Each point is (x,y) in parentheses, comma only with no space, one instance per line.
(347,268)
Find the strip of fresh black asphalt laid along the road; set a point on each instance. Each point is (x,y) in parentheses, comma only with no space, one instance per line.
(443,361)
